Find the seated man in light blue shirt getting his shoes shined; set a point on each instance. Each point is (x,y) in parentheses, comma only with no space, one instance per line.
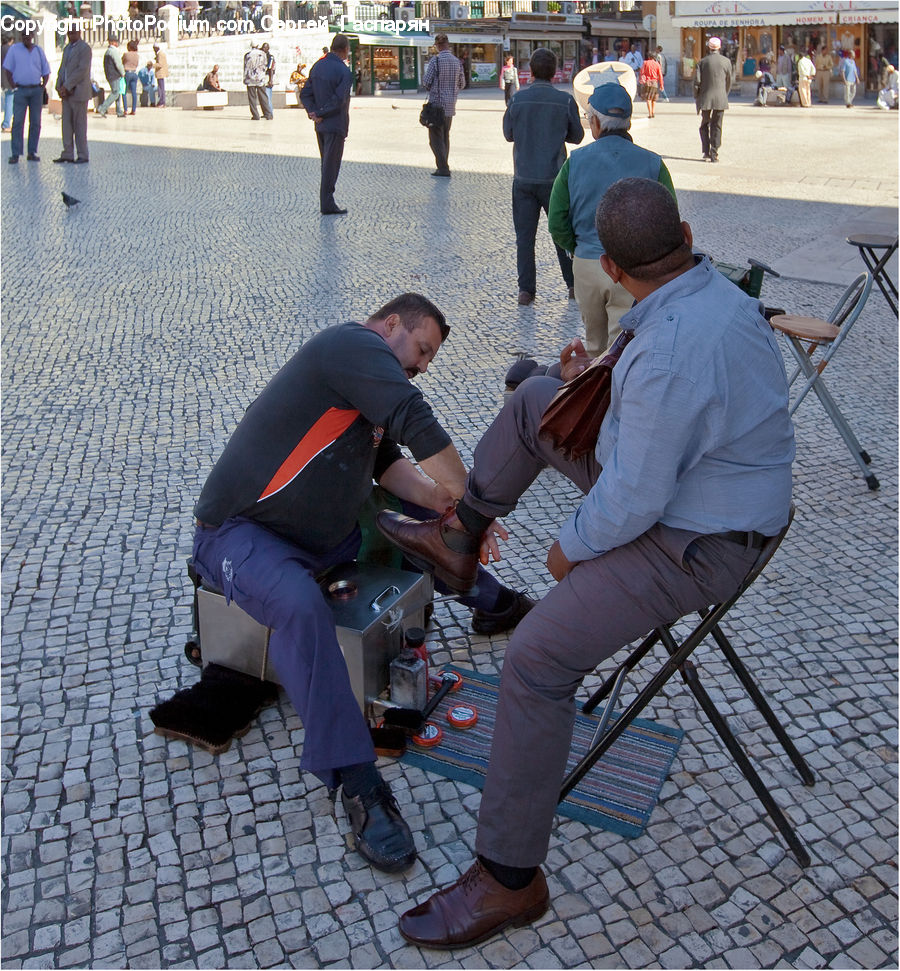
(692,468)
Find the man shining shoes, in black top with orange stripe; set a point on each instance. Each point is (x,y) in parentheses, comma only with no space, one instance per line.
(281,505)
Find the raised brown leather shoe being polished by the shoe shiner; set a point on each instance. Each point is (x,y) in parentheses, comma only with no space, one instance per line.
(440,546)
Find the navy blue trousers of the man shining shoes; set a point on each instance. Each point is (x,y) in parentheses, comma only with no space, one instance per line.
(273,581)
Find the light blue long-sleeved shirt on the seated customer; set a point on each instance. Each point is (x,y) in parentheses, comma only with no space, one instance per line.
(697,435)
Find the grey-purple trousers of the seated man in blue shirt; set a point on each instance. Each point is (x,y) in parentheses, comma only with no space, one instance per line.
(602,605)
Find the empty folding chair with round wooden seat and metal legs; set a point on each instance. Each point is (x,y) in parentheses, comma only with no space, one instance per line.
(807,335)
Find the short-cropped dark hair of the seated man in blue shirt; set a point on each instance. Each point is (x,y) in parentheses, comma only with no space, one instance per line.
(640,228)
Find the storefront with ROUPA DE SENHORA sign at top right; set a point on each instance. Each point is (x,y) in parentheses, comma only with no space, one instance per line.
(751,34)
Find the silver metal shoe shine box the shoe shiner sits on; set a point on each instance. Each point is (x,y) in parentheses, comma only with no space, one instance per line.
(372,606)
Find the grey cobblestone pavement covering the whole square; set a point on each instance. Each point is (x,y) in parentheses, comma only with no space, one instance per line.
(137,328)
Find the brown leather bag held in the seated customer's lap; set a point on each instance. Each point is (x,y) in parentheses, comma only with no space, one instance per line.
(572,419)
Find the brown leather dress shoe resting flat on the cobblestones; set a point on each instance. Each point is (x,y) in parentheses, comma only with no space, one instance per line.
(473,909)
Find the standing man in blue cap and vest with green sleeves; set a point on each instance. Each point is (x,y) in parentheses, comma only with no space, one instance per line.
(580,186)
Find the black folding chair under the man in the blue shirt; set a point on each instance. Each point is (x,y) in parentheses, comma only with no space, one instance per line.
(679,660)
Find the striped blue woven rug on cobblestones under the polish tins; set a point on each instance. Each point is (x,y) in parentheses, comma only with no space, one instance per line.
(619,792)
